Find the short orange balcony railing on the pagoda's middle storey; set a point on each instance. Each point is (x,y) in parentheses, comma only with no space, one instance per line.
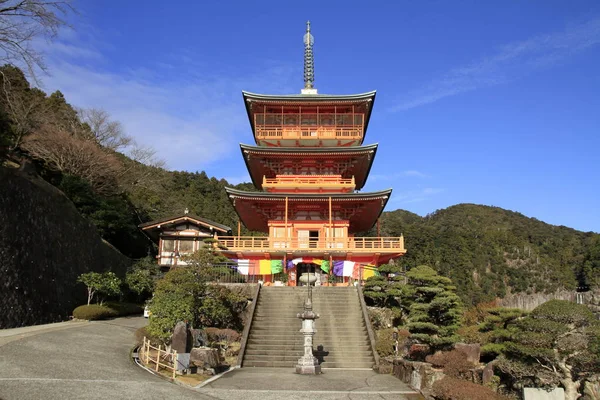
(333,182)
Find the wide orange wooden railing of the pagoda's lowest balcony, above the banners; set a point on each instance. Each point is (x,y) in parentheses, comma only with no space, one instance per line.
(357,245)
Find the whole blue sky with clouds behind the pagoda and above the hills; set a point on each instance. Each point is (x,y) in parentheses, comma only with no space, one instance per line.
(494,103)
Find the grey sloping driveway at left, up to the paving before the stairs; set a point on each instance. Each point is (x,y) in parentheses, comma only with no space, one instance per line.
(87,360)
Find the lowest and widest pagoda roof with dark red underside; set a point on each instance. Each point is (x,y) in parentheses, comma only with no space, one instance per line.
(372,205)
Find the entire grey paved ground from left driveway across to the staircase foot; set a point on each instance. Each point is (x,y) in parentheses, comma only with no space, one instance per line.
(90,360)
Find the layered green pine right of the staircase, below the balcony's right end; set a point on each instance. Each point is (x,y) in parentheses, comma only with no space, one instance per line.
(435,309)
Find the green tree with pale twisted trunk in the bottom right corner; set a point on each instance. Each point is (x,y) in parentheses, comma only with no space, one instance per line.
(557,344)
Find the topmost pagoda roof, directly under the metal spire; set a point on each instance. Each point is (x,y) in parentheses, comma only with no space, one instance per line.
(312,99)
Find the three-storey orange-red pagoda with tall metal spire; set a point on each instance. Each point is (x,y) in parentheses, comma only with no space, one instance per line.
(309,162)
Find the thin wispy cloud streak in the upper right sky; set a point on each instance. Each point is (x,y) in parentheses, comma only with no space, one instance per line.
(510,62)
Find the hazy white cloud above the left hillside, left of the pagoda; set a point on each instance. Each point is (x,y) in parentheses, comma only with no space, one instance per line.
(192,119)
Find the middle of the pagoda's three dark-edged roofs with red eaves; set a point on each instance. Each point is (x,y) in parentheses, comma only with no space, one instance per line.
(360,172)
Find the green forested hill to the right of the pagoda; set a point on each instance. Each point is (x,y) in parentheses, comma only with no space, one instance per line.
(491,252)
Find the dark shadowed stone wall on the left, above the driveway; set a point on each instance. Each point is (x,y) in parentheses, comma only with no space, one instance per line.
(45,244)
